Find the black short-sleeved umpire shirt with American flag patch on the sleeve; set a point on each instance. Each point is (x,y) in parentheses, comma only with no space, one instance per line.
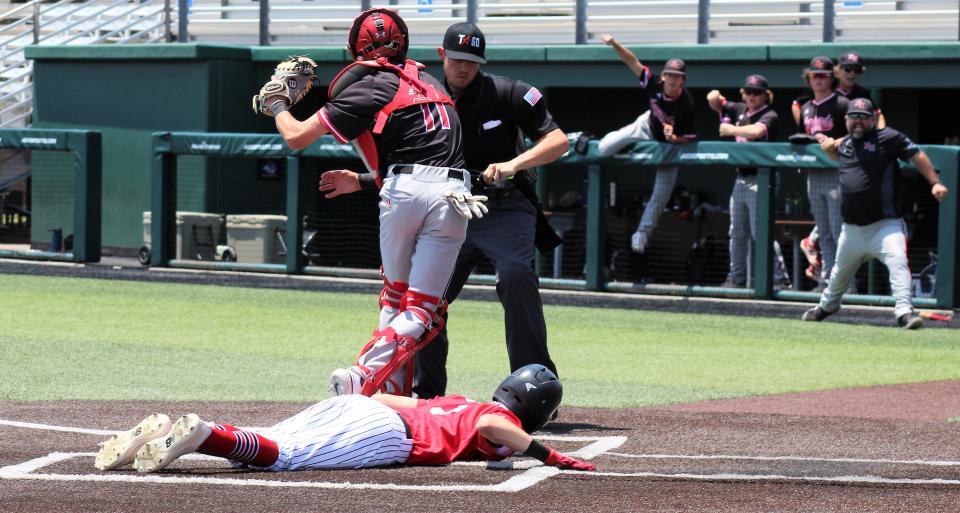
(495,113)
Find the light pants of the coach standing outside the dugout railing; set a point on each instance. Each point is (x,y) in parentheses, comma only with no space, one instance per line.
(885,240)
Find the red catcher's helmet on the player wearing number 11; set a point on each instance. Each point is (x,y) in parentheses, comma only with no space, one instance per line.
(378,33)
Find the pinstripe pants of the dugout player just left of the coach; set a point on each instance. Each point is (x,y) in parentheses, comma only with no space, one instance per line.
(823,189)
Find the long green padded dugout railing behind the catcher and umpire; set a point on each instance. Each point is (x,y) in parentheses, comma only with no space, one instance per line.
(168,145)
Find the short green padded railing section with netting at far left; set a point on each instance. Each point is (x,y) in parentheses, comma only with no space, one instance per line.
(83,149)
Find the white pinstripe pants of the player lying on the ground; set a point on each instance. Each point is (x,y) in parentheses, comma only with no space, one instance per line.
(349,431)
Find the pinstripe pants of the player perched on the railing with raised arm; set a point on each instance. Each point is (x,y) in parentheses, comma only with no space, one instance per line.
(666,177)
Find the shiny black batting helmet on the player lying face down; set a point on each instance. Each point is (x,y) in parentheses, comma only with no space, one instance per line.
(532,393)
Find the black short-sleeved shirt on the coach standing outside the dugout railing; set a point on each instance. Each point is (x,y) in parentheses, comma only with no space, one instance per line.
(870,181)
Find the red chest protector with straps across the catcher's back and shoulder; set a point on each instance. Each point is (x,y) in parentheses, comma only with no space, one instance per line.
(412,91)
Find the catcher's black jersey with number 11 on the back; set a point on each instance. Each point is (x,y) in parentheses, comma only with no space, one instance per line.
(427,133)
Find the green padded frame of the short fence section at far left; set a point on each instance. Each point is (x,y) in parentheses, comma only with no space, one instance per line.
(85,149)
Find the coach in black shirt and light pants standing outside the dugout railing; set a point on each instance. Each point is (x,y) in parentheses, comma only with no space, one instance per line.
(871,188)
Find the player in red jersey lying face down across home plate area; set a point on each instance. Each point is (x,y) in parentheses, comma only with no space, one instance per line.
(357,431)
